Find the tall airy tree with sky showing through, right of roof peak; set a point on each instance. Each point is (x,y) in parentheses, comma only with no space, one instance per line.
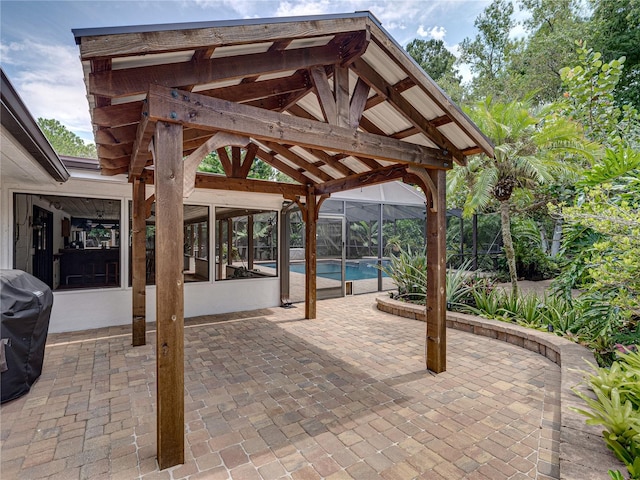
(488,52)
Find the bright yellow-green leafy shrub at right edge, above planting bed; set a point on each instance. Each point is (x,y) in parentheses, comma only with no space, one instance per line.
(606,225)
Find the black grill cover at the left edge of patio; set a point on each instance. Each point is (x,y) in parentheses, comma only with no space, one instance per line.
(25,304)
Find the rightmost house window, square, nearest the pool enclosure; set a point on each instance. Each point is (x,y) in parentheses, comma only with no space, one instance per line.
(246,243)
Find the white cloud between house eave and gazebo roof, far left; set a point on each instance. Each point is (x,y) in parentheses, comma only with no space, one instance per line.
(49,79)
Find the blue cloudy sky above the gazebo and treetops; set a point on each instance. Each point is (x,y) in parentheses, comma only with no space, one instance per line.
(39,55)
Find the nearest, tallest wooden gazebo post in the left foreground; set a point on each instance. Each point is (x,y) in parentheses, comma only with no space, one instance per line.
(169,294)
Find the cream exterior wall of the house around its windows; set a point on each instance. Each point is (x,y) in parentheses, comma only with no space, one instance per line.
(101,307)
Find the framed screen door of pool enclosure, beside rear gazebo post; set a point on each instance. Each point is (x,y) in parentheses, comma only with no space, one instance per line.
(330,272)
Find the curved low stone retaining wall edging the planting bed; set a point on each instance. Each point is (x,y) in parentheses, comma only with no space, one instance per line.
(583,453)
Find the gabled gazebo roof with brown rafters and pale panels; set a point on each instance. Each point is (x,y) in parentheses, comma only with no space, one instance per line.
(295,88)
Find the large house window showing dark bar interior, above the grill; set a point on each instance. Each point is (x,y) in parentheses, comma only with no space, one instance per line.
(68,242)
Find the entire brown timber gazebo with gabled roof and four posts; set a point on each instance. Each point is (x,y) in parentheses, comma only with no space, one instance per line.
(331,101)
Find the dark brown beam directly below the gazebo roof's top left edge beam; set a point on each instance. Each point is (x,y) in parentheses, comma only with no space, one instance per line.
(135,81)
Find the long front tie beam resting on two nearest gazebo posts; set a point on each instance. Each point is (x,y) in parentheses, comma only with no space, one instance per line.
(197,111)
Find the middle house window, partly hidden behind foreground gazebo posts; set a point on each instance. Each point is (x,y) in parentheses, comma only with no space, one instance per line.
(196,244)
